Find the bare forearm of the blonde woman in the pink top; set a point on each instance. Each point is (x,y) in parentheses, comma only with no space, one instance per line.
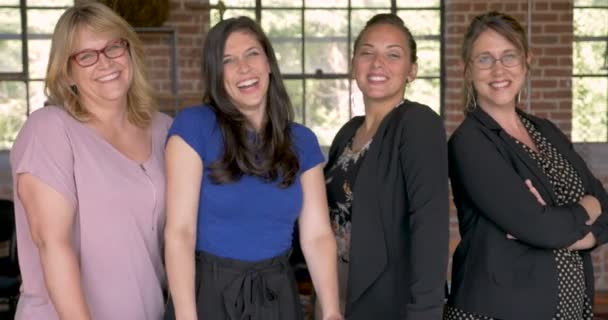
(62,279)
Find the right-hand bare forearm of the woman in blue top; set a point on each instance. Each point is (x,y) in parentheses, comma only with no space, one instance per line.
(321,258)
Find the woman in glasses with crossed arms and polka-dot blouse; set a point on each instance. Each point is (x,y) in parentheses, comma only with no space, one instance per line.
(529,209)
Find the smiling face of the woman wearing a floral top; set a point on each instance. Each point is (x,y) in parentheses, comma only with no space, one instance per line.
(382,65)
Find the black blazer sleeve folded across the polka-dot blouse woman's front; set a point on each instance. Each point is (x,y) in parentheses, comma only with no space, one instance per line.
(497,192)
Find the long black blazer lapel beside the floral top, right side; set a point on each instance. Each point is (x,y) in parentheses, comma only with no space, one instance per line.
(369,256)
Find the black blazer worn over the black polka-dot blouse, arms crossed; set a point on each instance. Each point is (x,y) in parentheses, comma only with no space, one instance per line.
(492,275)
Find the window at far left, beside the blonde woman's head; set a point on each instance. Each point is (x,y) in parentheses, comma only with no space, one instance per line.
(25,35)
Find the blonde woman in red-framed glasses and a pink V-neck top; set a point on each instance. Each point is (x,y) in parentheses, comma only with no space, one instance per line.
(88,178)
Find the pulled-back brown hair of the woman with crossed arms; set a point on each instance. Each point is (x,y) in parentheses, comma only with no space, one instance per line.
(501,23)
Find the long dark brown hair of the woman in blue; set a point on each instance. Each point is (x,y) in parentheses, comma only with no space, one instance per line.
(270,152)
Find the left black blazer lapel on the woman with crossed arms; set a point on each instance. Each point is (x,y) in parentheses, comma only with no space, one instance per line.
(545,187)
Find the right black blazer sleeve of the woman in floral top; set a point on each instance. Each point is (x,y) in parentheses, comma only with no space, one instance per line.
(423,157)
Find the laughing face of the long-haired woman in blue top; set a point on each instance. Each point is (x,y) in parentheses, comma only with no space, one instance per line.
(246,71)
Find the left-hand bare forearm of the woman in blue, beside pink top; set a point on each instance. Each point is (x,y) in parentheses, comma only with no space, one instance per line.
(179,260)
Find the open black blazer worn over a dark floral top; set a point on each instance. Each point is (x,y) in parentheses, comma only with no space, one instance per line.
(399,240)
